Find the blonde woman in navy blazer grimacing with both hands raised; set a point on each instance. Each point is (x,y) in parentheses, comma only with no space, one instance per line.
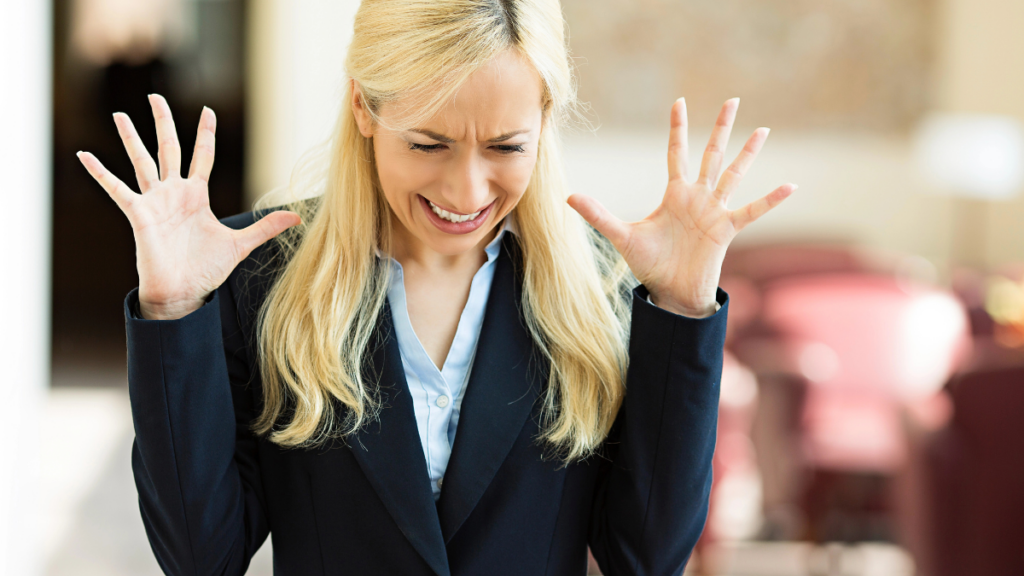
(313,387)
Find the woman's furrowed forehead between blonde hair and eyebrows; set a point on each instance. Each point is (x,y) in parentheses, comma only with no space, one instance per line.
(504,96)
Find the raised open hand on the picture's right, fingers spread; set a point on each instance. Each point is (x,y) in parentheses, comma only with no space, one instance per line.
(677,252)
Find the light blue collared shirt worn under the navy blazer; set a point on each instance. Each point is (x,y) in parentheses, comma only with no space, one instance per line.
(438,394)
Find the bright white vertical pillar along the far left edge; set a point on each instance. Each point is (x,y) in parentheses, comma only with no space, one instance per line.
(25,280)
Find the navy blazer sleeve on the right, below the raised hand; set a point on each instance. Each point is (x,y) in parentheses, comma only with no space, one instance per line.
(652,499)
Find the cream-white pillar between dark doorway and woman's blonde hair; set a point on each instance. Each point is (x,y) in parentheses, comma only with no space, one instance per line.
(296,55)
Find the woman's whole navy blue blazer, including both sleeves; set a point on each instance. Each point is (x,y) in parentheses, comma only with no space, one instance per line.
(211,491)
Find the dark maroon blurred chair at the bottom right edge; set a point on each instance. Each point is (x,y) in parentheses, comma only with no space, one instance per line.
(976,467)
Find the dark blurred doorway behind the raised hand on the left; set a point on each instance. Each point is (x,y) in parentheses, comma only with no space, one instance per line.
(194,59)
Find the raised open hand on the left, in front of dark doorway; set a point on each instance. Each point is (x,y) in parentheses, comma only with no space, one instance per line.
(184,254)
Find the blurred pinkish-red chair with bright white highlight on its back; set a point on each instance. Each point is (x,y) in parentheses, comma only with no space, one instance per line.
(866,347)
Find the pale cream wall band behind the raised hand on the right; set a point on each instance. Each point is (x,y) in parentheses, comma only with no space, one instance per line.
(852,187)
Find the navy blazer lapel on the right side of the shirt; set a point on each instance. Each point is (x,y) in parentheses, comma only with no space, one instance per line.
(502,389)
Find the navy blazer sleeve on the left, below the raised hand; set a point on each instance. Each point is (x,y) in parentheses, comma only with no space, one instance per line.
(195,460)
